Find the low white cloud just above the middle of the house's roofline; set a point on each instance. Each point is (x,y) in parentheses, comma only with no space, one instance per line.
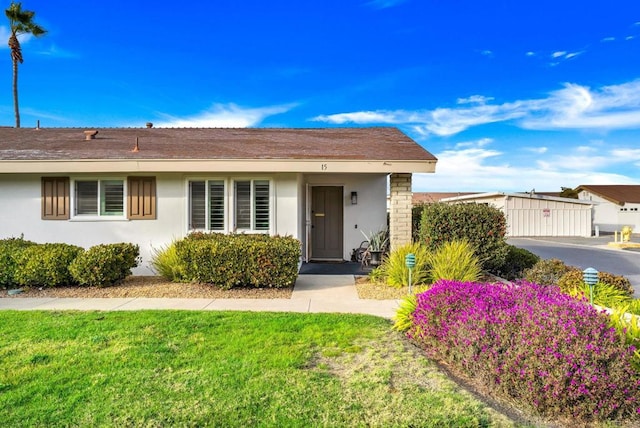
(224,116)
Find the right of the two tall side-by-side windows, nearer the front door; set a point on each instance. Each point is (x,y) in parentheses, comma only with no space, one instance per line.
(252,205)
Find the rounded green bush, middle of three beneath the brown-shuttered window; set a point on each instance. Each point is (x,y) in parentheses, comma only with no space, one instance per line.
(46,265)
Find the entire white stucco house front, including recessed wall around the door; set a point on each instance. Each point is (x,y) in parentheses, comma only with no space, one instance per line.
(20,211)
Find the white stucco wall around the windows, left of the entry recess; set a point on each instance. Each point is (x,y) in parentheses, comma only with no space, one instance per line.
(20,214)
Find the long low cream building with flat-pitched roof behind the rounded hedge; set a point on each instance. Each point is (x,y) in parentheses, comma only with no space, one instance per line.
(533,214)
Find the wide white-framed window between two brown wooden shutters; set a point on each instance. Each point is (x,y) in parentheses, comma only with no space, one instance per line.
(99,198)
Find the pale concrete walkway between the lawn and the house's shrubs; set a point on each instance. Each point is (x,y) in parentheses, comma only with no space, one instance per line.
(312,293)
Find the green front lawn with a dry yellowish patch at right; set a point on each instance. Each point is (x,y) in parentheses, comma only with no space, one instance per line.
(182,368)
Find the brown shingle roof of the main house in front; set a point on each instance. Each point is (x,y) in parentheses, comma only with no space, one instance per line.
(67,144)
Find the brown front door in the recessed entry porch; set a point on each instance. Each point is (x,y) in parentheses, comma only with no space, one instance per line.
(326,222)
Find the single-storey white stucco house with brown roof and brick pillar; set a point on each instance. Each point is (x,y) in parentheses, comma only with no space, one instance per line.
(150,186)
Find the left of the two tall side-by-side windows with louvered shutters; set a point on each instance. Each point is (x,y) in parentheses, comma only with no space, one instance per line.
(207,205)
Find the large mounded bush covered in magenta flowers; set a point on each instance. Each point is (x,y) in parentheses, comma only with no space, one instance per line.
(531,343)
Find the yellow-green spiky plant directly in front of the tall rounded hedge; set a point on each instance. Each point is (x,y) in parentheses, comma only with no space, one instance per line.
(455,260)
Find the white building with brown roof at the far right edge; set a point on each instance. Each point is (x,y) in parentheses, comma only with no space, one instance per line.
(615,205)
